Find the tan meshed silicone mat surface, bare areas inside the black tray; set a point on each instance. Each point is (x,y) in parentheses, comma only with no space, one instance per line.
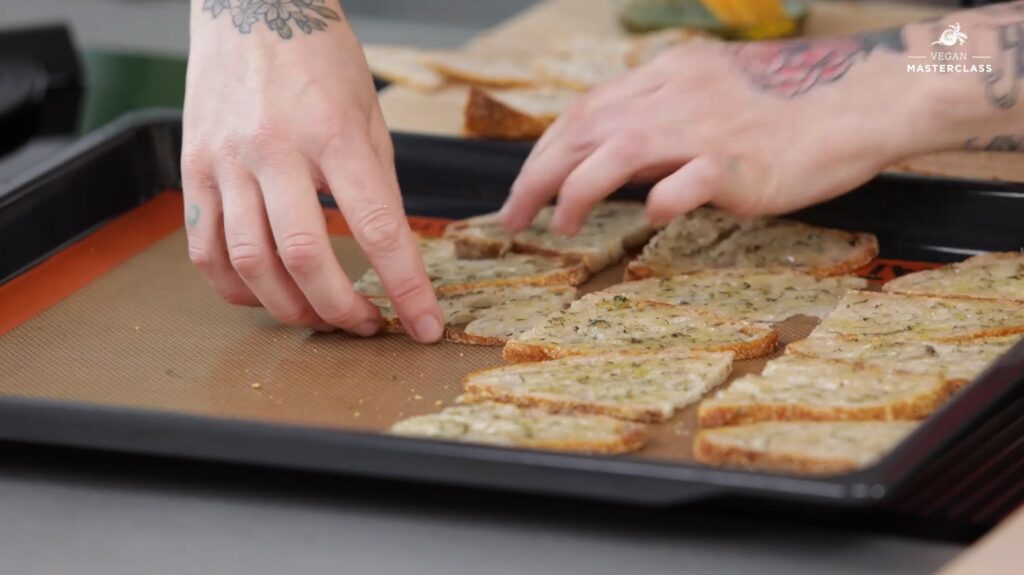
(152,334)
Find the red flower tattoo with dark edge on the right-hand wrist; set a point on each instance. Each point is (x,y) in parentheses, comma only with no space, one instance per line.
(795,68)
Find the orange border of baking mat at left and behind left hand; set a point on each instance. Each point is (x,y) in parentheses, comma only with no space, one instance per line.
(117,242)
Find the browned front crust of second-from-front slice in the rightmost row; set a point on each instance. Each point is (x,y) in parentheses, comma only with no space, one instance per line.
(712,416)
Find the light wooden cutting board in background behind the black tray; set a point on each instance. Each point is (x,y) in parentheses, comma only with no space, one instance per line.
(441,113)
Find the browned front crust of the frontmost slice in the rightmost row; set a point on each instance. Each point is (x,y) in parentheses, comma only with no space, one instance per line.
(707,452)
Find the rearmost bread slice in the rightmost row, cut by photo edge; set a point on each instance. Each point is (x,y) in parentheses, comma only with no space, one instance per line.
(990,277)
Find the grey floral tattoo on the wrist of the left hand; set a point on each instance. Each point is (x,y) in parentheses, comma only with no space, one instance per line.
(279,16)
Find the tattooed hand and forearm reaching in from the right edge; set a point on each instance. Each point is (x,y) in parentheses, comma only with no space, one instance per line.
(771,127)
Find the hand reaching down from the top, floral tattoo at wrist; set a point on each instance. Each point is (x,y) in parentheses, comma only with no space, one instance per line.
(280,106)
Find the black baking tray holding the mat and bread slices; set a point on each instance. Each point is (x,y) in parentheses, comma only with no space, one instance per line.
(962,464)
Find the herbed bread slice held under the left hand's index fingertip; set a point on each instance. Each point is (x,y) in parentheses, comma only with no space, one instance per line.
(490,316)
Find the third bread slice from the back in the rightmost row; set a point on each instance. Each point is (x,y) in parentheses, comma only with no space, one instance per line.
(959,364)
